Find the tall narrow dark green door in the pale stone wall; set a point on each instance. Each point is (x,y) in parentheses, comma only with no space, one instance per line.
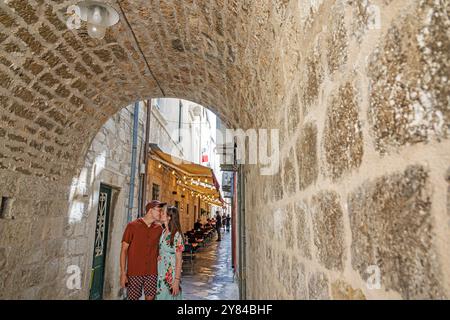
(101,237)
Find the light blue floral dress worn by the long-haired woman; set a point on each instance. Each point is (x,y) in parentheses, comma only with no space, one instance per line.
(166,266)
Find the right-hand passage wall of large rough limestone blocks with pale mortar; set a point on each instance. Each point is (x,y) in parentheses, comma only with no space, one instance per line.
(363,181)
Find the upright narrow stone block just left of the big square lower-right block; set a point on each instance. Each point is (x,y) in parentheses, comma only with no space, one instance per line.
(328,229)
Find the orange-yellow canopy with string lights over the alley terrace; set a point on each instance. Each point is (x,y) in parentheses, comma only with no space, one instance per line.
(195,178)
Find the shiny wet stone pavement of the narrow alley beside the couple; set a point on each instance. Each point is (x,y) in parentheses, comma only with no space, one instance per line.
(210,274)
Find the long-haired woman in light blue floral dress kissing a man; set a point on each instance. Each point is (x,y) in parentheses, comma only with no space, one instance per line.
(171,246)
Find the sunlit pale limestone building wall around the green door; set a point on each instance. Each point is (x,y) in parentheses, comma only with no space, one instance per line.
(108,161)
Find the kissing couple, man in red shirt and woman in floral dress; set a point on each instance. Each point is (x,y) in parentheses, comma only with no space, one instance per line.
(152,254)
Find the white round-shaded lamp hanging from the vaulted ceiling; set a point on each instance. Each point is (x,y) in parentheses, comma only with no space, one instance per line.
(98,16)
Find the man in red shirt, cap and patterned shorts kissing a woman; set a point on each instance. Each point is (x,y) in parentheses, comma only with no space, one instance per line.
(140,246)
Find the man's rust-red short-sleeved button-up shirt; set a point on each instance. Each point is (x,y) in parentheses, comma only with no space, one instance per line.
(144,247)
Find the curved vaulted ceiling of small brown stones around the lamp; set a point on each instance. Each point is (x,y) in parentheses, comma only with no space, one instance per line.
(59,86)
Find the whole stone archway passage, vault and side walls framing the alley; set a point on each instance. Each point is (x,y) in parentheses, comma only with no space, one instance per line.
(363,110)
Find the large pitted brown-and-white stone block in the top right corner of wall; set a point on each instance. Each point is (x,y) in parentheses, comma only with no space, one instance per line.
(409,80)
